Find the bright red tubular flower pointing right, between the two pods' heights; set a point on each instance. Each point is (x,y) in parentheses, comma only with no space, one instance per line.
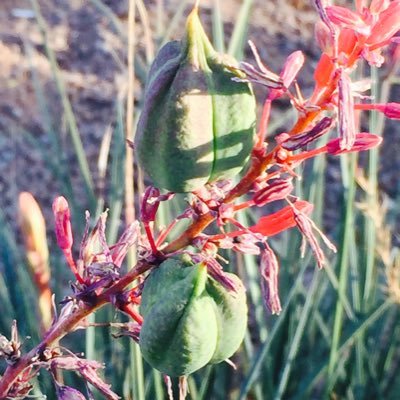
(281,220)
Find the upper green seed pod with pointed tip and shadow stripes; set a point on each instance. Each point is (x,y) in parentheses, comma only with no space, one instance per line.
(197,125)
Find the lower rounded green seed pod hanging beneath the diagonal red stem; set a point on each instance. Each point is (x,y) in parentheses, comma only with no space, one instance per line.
(190,319)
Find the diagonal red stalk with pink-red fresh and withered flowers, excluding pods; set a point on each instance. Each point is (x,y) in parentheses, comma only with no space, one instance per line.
(345,38)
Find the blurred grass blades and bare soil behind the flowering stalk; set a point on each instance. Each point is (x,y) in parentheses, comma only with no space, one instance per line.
(69,71)
